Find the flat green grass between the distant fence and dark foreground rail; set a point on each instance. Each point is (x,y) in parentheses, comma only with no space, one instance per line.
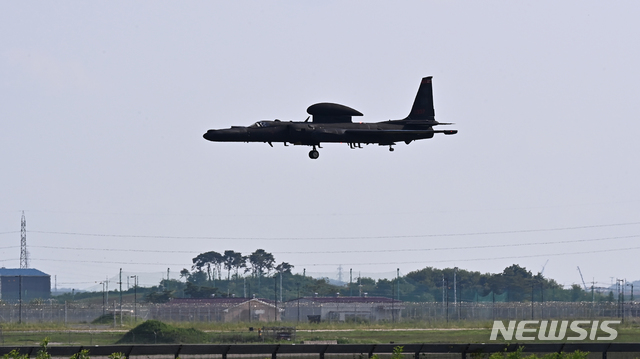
(463,332)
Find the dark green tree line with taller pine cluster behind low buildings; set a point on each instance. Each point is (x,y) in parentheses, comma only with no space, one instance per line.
(233,274)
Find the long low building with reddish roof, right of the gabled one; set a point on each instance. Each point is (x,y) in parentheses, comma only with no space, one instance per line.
(343,309)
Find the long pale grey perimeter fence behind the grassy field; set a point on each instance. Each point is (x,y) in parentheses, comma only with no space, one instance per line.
(74,312)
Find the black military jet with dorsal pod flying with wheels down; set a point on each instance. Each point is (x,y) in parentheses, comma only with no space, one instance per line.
(332,123)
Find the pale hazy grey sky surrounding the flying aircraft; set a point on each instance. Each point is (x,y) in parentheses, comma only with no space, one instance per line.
(103,106)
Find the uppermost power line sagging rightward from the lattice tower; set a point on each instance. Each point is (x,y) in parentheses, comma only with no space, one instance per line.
(338,237)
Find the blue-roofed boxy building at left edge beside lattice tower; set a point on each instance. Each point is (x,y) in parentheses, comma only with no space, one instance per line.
(34,284)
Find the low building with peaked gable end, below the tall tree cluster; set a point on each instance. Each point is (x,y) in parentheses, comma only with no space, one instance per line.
(219,310)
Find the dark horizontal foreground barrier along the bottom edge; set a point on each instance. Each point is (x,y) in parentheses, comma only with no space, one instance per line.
(323,350)
